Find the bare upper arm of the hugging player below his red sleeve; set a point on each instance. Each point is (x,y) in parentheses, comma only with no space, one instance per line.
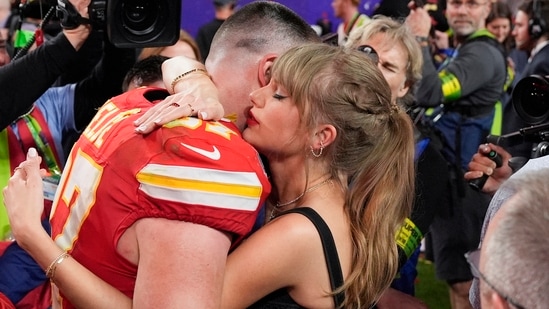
(181,264)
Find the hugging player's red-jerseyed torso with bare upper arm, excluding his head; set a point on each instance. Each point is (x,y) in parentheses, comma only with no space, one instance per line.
(128,204)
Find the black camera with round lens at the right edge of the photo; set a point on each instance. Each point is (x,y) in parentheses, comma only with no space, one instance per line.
(531,102)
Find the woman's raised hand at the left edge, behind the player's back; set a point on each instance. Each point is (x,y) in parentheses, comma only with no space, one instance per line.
(24,200)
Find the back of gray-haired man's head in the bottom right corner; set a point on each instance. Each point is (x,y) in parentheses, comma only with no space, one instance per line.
(512,264)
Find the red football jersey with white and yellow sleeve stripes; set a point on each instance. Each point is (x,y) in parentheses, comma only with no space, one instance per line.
(191,170)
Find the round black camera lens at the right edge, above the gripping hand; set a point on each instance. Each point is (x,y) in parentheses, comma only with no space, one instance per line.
(531,99)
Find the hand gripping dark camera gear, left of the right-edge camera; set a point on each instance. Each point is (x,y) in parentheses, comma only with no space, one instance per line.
(480,164)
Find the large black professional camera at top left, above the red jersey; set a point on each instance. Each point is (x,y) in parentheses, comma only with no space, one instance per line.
(129,23)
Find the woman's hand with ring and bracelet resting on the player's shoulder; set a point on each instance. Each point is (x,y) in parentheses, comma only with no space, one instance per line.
(195,95)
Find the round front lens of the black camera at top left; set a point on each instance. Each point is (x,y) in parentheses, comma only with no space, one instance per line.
(140,17)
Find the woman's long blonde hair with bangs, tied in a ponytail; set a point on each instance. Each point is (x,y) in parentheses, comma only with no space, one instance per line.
(374,148)
